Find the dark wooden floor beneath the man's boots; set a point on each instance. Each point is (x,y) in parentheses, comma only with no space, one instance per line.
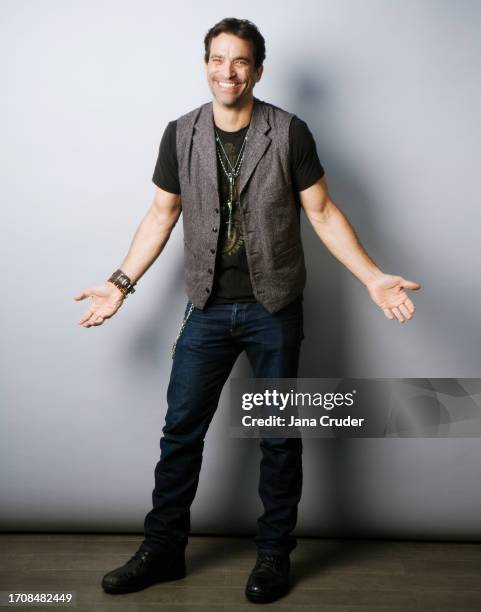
(327,575)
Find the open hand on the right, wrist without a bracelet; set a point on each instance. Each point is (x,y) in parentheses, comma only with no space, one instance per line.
(387,291)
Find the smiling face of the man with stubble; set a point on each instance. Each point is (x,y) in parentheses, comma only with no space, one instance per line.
(230,70)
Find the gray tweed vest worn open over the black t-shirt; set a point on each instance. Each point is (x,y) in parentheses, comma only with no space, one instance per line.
(270,207)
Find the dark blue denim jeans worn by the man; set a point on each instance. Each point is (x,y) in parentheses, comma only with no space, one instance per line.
(205,353)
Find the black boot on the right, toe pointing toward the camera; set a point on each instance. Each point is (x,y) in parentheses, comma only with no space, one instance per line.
(269,580)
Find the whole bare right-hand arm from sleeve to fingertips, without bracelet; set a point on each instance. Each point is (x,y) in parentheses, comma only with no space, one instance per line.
(333,228)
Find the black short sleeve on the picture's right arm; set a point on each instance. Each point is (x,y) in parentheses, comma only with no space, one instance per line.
(305,165)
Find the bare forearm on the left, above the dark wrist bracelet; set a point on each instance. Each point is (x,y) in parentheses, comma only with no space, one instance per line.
(147,244)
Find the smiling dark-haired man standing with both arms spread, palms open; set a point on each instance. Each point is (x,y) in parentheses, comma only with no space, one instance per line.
(240,170)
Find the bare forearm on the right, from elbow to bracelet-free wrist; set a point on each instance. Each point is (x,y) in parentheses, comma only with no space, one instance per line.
(340,238)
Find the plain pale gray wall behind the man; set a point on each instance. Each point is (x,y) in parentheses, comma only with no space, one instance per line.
(391,91)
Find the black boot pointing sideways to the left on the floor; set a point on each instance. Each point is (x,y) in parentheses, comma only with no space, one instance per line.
(144,569)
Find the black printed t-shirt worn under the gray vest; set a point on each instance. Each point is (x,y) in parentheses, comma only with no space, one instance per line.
(231,276)
